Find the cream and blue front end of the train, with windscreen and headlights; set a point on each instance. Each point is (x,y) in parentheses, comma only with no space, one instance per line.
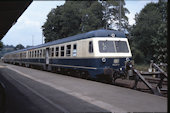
(114,57)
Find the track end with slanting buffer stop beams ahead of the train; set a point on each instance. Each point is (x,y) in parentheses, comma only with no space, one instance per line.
(150,82)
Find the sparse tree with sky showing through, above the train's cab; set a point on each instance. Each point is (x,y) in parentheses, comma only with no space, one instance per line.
(115,19)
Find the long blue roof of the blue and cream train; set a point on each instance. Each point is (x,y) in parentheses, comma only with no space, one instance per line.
(90,34)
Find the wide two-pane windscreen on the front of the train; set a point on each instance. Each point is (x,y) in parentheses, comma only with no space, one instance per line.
(113,47)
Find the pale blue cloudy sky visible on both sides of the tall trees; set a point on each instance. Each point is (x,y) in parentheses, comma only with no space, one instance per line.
(28,31)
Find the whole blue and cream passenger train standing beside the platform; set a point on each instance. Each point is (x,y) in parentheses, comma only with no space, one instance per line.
(95,53)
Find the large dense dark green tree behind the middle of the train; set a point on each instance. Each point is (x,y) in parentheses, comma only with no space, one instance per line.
(73,18)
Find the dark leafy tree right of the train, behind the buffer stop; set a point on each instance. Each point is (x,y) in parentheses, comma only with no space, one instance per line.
(148,35)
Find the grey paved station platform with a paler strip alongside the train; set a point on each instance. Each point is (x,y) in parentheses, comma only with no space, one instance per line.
(70,94)
